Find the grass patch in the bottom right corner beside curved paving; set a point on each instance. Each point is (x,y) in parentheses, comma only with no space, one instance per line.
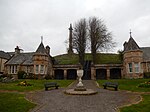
(143,106)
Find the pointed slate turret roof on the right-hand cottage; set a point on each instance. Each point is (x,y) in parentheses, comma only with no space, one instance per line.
(131,45)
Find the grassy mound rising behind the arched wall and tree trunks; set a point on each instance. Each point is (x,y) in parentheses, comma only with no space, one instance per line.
(102,58)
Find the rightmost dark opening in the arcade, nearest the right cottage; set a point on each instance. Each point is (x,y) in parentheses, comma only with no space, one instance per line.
(115,73)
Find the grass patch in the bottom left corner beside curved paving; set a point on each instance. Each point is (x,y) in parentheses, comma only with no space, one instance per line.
(14,102)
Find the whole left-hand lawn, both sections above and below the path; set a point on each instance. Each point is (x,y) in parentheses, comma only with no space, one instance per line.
(15,102)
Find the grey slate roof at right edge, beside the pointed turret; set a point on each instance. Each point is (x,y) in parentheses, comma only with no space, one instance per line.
(146,53)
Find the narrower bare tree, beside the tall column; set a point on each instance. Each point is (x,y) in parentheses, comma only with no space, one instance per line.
(79,39)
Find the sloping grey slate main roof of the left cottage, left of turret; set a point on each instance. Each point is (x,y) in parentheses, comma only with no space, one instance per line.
(22,58)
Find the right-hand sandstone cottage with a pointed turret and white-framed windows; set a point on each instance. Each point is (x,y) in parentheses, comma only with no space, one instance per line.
(136,60)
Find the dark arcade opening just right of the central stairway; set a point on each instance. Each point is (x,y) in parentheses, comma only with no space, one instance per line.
(101,74)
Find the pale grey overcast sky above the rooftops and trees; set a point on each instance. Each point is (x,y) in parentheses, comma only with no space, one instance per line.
(23,22)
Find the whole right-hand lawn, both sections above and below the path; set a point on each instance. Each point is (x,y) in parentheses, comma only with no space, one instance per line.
(132,85)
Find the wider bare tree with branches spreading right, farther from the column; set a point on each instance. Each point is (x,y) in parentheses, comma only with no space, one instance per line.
(100,37)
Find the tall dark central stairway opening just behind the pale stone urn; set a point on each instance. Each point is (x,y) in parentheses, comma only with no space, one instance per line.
(87,70)
